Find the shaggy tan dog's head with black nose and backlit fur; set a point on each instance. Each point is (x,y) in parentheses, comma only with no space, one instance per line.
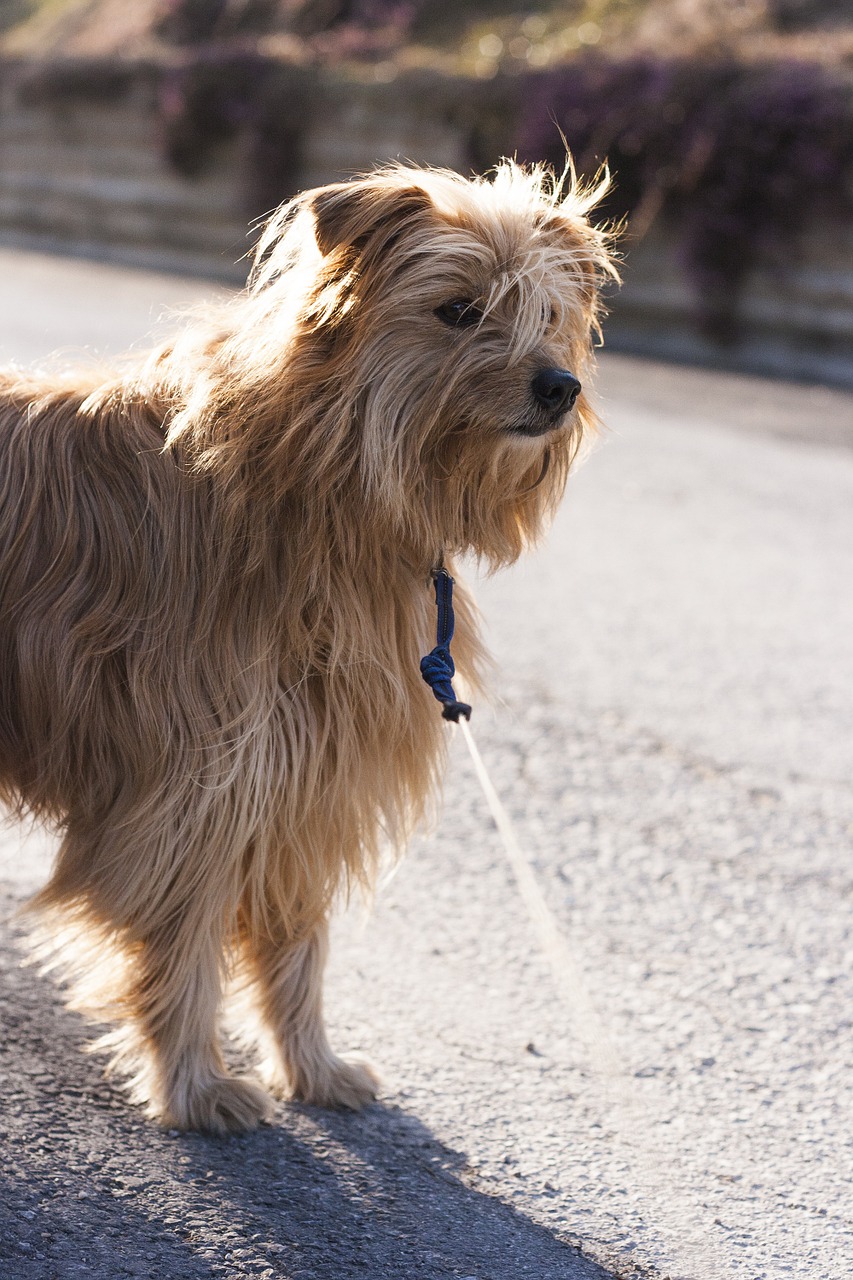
(444,332)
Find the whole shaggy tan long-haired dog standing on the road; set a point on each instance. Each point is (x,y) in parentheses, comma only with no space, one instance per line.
(216,592)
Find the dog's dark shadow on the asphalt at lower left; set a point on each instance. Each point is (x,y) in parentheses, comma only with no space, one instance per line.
(93,1190)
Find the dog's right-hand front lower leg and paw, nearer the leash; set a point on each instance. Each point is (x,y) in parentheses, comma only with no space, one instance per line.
(289,979)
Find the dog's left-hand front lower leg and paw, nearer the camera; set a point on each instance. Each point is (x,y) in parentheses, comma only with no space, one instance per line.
(176,1016)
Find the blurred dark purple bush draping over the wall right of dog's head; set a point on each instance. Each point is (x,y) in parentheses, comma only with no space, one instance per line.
(740,156)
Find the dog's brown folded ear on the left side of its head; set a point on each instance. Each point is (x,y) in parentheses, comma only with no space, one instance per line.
(350,214)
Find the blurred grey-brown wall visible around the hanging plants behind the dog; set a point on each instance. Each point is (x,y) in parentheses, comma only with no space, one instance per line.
(90,179)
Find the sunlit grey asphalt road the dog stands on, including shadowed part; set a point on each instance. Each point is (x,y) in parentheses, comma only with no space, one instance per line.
(673,739)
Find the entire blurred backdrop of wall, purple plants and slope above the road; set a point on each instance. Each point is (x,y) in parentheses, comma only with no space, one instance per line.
(152,132)
